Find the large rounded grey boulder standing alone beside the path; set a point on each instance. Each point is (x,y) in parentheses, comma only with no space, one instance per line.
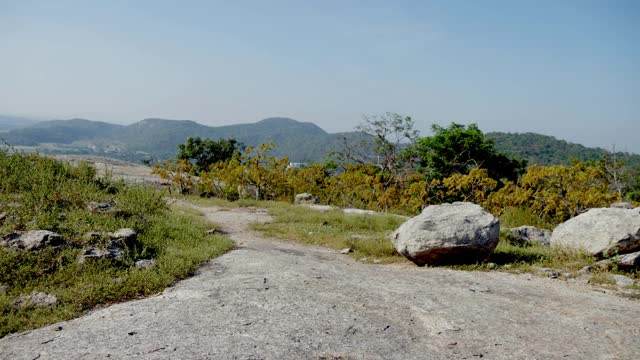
(448,234)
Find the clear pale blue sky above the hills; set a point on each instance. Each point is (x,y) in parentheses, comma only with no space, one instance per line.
(569,69)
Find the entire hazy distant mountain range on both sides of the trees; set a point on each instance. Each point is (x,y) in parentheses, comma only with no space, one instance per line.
(157,139)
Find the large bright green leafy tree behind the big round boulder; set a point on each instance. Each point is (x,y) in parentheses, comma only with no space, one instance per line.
(458,149)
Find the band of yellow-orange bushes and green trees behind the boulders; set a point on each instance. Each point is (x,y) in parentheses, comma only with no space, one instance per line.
(455,164)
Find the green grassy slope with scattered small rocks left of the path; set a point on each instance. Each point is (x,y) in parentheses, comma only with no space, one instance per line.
(44,194)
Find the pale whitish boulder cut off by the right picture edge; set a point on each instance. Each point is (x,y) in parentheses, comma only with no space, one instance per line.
(602,232)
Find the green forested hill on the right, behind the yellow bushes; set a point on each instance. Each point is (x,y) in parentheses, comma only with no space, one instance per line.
(547,150)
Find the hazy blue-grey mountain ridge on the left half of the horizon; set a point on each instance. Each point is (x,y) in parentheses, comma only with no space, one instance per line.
(158,138)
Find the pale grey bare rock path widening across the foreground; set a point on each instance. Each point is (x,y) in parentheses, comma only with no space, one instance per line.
(275,300)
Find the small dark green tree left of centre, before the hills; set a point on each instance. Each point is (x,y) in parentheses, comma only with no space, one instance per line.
(203,153)
